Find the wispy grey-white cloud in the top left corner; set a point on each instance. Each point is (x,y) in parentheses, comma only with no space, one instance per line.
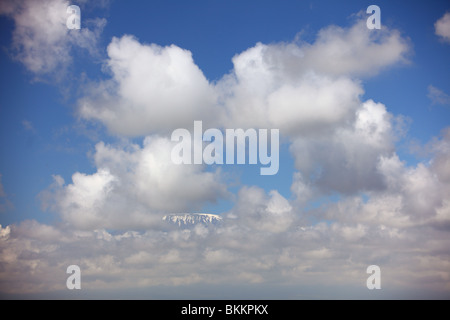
(41,39)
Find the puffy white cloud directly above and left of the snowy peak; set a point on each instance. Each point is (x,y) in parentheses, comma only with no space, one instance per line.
(133,187)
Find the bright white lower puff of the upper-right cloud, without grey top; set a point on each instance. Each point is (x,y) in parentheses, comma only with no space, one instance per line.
(313,103)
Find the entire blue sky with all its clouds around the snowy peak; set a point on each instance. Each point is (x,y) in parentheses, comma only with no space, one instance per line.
(86,175)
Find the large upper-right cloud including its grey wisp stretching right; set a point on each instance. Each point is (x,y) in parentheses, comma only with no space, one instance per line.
(304,88)
